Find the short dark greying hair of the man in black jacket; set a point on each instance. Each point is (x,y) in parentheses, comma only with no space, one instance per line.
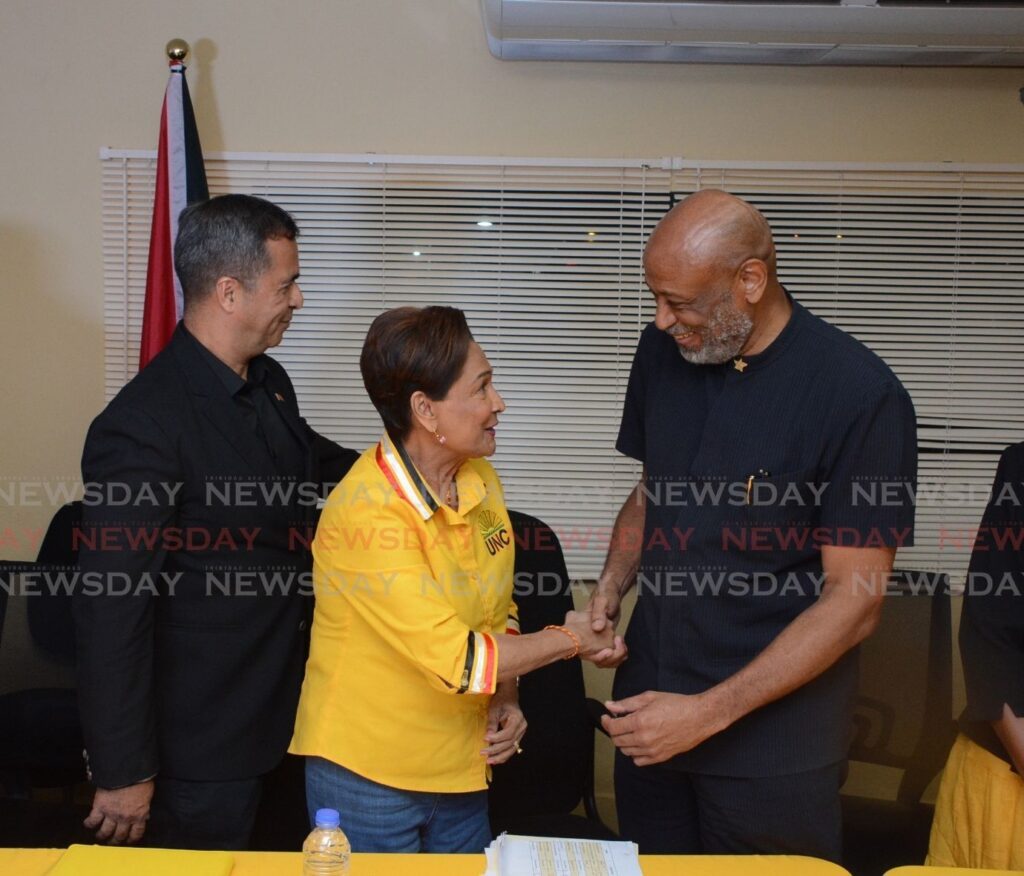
(227,237)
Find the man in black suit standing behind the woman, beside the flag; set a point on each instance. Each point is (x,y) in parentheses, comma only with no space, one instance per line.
(201,490)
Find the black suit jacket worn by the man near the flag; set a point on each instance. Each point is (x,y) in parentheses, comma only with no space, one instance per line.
(192,614)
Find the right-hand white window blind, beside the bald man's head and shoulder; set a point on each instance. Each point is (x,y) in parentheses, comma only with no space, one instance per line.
(926,267)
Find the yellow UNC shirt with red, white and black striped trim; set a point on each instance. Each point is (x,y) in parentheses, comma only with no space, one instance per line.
(410,596)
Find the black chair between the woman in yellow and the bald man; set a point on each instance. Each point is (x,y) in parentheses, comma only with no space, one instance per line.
(536,792)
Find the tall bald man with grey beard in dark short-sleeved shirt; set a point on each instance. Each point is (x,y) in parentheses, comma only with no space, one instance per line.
(758,544)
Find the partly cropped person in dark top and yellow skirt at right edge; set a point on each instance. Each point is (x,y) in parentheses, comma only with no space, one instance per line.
(979,814)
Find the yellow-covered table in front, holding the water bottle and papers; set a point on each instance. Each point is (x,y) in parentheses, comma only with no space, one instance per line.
(37,862)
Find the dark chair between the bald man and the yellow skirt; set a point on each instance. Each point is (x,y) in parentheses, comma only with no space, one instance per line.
(903,720)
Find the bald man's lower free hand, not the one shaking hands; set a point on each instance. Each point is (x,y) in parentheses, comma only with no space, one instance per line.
(654,727)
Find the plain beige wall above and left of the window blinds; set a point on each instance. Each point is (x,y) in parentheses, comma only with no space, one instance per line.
(390,76)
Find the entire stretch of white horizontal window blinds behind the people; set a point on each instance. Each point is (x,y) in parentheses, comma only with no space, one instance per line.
(924,265)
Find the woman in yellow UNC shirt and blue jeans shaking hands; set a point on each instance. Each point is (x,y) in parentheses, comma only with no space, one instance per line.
(410,693)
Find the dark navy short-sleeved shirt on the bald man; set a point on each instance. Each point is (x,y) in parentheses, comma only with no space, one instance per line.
(749,474)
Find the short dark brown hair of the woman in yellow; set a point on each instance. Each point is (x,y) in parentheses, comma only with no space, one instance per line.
(411,350)
